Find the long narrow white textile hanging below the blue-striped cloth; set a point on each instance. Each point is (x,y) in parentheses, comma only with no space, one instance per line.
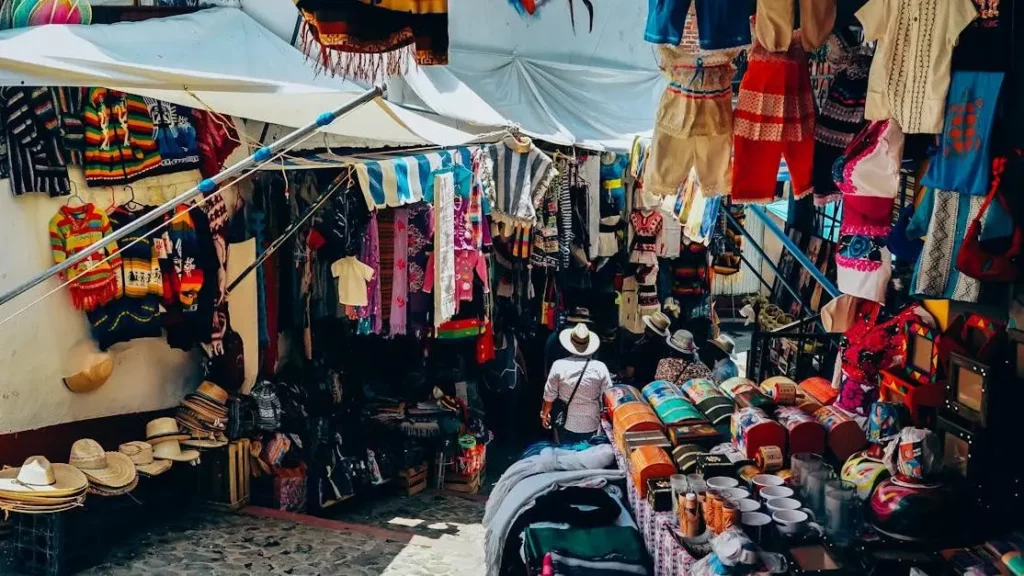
(445,289)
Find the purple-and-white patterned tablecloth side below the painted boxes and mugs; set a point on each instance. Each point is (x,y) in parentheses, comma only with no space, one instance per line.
(668,556)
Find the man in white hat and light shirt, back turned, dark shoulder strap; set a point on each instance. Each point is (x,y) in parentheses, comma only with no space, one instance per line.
(579,381)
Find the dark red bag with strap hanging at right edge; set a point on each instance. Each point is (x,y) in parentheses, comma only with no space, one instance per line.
(973,260)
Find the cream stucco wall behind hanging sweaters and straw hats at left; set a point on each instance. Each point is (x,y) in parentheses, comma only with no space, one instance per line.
(148,375)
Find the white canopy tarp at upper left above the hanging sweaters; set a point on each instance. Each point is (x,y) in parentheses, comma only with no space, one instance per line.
(221,59)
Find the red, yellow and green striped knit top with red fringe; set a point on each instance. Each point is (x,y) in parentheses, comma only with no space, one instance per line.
(73,230)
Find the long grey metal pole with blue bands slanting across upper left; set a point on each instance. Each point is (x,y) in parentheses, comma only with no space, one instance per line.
(205,187)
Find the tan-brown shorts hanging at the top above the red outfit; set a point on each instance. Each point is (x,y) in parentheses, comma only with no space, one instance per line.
(775,23)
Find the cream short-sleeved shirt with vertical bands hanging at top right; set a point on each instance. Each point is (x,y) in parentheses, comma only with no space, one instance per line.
(911,71)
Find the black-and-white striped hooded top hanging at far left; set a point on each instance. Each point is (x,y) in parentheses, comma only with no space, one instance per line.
(36,155)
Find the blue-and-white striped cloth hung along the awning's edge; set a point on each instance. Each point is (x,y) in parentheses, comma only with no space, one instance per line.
(391,183)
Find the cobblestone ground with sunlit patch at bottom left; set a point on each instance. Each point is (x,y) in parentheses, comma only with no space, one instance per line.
(423,536)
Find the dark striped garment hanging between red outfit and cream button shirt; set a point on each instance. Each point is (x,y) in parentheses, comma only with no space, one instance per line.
(842,115)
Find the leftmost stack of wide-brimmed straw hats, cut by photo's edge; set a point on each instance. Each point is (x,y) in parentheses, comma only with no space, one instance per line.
(39,487)
